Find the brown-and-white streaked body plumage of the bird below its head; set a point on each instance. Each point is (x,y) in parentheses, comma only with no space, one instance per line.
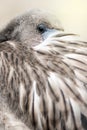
(46,86)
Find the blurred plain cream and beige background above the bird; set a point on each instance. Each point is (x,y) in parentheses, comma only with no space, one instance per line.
(71,13)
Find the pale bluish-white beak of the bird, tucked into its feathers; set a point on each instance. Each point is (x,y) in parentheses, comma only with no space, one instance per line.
(50,32)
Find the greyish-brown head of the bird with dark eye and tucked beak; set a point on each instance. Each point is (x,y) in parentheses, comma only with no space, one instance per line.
(31,28)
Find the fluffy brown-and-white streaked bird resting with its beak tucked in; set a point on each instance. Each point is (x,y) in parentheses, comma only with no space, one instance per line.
(43,73)
